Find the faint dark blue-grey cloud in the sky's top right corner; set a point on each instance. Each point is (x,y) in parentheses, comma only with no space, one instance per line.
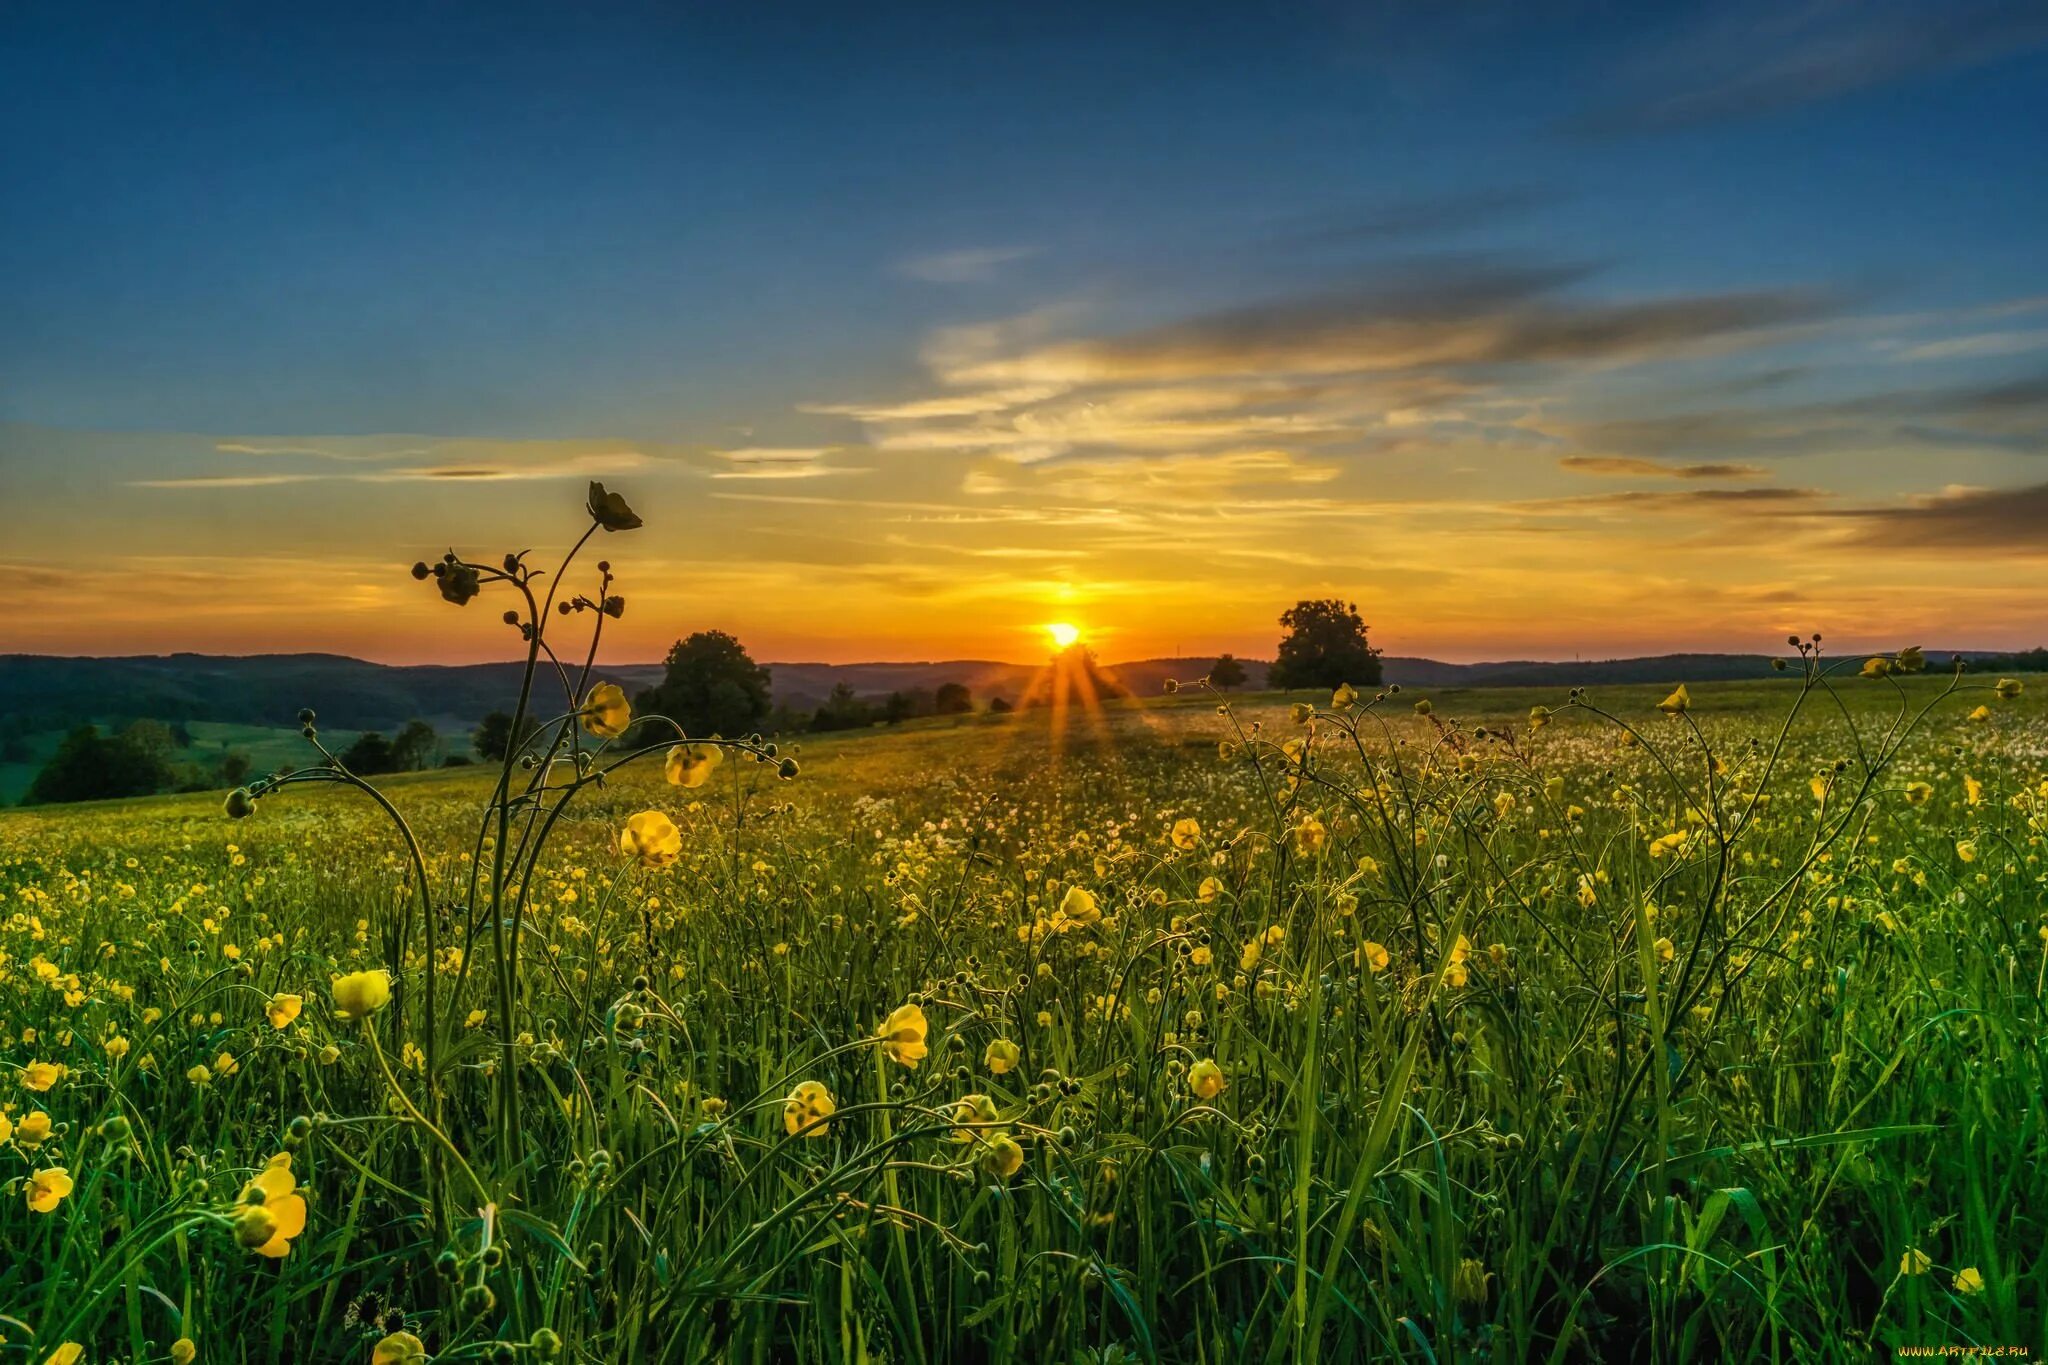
(1768,56)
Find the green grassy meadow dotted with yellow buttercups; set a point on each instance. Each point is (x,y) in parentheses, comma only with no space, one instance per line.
(1412,1032)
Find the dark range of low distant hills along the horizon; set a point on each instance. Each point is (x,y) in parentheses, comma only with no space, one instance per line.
(48,693)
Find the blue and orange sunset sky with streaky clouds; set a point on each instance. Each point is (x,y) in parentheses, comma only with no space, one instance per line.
(1539,331)
